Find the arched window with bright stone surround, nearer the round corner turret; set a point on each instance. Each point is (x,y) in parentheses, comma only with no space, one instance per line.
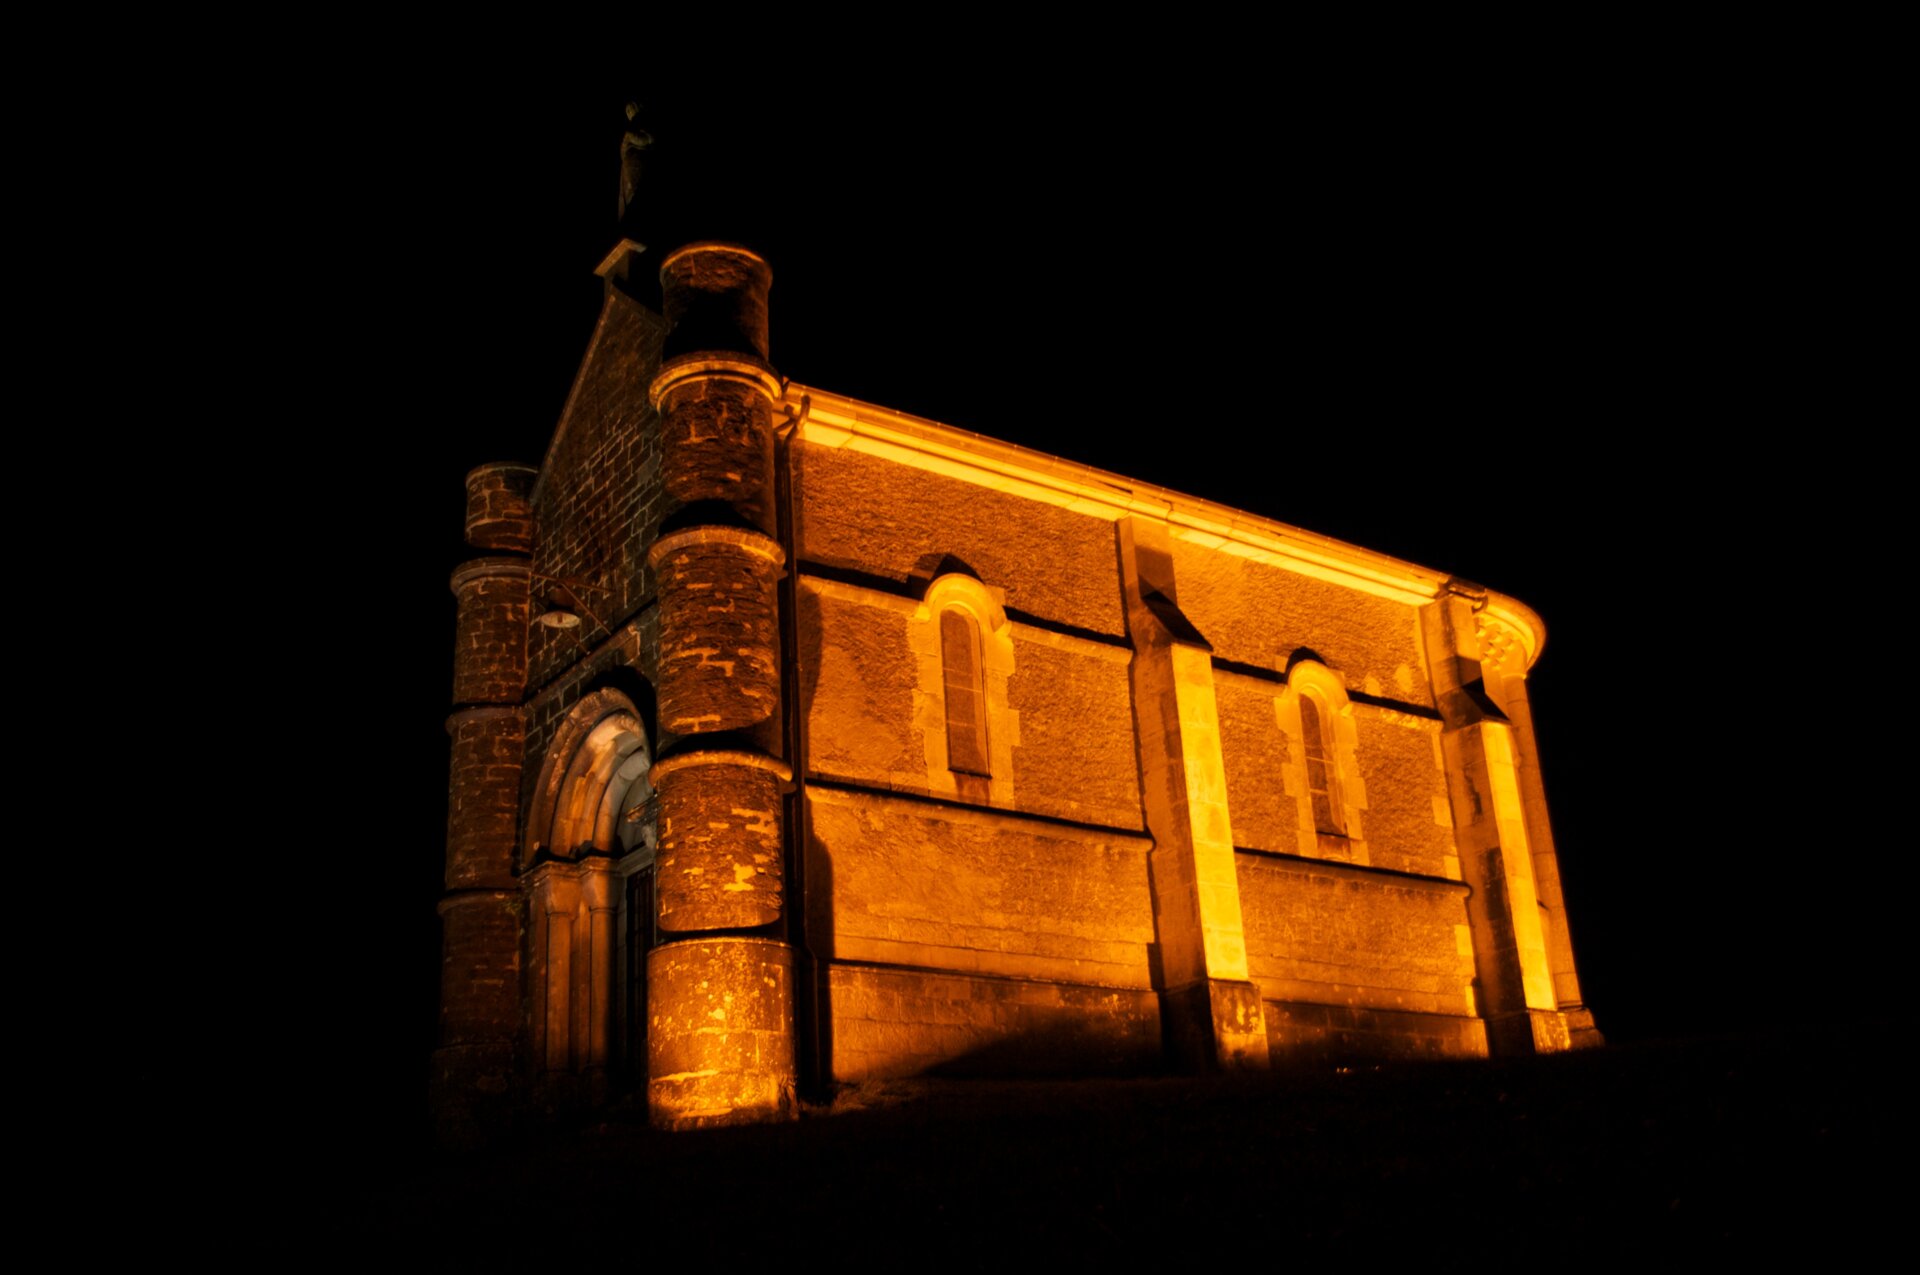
(965,650)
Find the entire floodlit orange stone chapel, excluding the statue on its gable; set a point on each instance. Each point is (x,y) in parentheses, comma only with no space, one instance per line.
(802,742)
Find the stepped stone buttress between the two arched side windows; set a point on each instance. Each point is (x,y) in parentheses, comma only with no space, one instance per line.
(1212,1011)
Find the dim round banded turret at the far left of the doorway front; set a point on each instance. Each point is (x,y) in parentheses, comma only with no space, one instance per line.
(481,911)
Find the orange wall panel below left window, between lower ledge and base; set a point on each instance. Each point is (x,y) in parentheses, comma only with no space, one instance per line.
(948,888)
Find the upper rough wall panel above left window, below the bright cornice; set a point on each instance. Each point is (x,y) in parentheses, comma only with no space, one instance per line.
(863,514)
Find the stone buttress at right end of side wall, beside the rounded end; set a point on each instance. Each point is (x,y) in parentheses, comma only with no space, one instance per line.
(1510,946)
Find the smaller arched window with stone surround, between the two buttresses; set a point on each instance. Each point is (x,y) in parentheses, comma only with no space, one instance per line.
(1322,773)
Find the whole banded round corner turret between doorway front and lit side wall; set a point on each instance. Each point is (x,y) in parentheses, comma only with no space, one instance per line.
(721,984)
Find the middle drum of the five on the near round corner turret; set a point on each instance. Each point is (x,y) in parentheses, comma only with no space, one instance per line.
(719,631)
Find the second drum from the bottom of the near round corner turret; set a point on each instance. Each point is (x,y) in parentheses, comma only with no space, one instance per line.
(721,850)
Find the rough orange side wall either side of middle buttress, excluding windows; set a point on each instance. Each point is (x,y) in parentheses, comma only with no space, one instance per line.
(996,938)
